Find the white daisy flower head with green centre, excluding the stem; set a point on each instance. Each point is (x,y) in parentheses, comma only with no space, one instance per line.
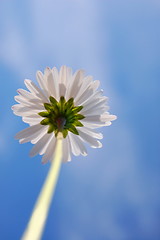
(64,102)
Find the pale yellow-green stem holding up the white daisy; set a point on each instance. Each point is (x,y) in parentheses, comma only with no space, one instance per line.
(38,218)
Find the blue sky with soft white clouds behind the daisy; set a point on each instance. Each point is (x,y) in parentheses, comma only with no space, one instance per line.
(113,193)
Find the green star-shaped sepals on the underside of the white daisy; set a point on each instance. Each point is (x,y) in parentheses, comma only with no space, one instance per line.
(62,116)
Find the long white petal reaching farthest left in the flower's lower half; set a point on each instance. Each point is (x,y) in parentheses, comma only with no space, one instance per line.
(29,131)
